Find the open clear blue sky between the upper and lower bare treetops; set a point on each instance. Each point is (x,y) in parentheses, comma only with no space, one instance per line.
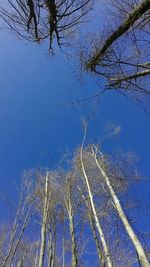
(35,122)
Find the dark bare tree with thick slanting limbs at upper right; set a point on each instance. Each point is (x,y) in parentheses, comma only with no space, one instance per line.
(121,55)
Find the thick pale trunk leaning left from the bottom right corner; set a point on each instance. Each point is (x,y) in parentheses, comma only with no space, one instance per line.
(139,249)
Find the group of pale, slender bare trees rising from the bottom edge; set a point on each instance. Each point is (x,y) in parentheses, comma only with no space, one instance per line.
(76,209)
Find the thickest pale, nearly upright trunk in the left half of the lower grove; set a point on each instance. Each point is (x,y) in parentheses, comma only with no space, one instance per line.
(44,223)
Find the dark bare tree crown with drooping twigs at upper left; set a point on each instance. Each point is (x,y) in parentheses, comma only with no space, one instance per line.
(37,20)
